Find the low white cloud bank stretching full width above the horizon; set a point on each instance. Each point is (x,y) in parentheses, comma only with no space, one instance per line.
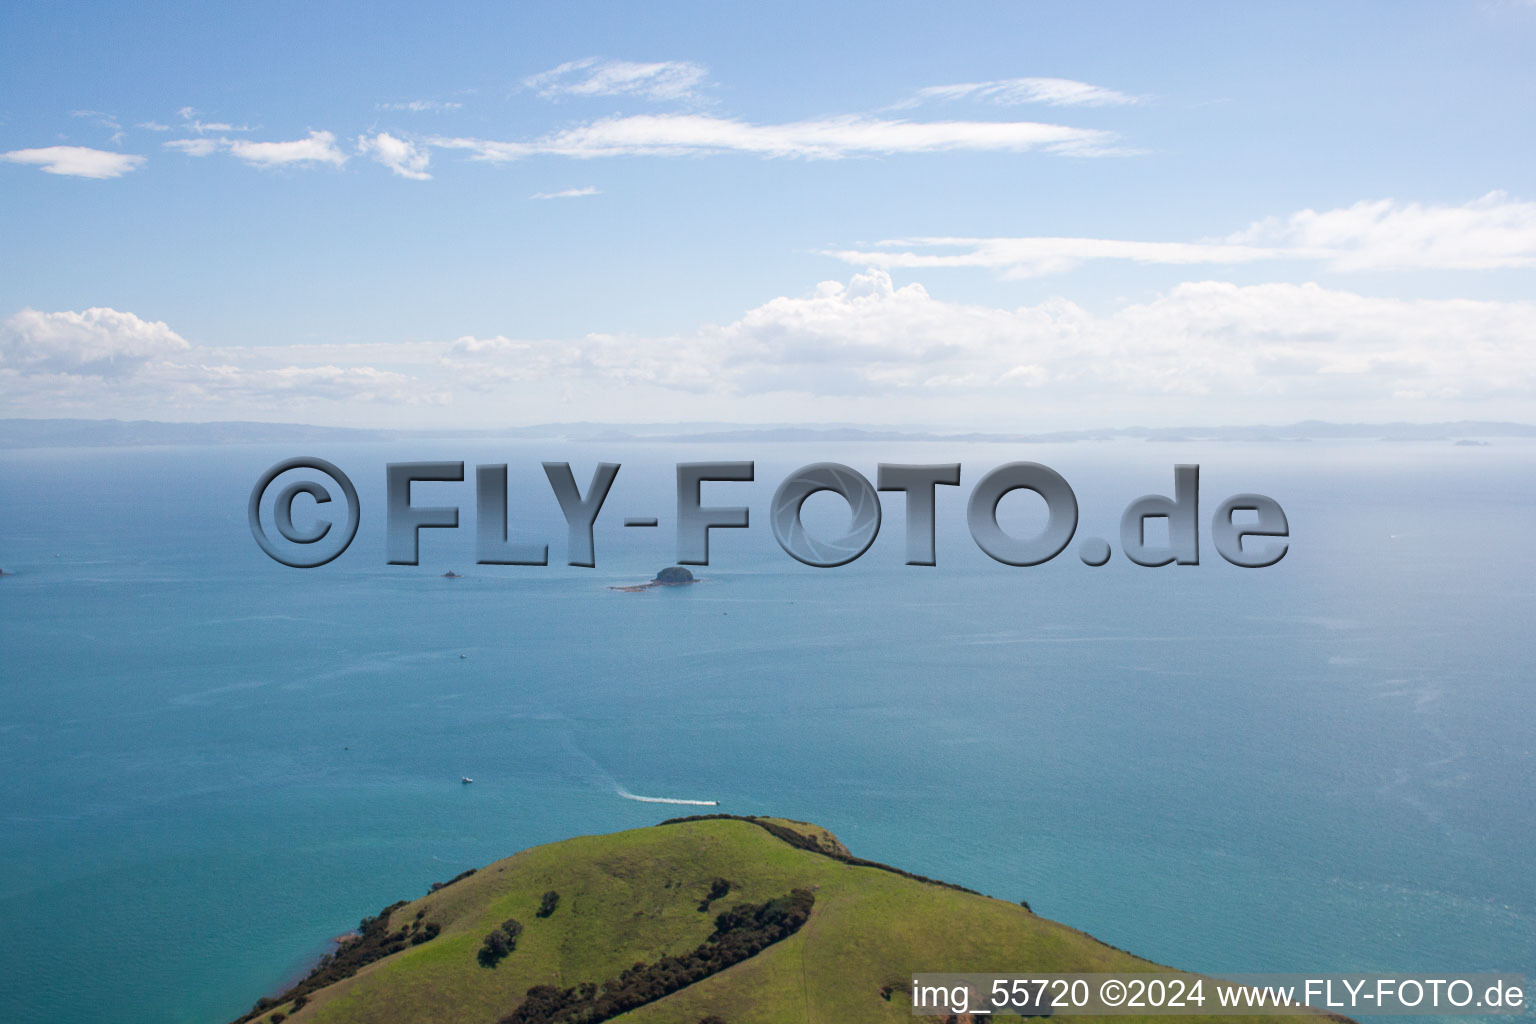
(866,349)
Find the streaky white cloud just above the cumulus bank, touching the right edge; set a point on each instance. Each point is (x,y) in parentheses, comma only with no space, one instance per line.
(1494,233)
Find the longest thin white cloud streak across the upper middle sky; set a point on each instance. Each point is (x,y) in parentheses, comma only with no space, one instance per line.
(824,139)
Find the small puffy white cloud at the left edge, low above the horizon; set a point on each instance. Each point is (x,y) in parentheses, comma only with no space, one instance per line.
(98,342)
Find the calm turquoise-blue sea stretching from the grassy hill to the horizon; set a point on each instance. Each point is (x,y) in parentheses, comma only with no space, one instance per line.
(211,764)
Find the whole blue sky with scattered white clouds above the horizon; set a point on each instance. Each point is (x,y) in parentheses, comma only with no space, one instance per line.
(961,217)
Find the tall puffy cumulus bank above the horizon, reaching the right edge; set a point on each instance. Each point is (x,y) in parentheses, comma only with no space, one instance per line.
(870,339)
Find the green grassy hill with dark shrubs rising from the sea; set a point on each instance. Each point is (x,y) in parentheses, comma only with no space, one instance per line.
(635,897)
